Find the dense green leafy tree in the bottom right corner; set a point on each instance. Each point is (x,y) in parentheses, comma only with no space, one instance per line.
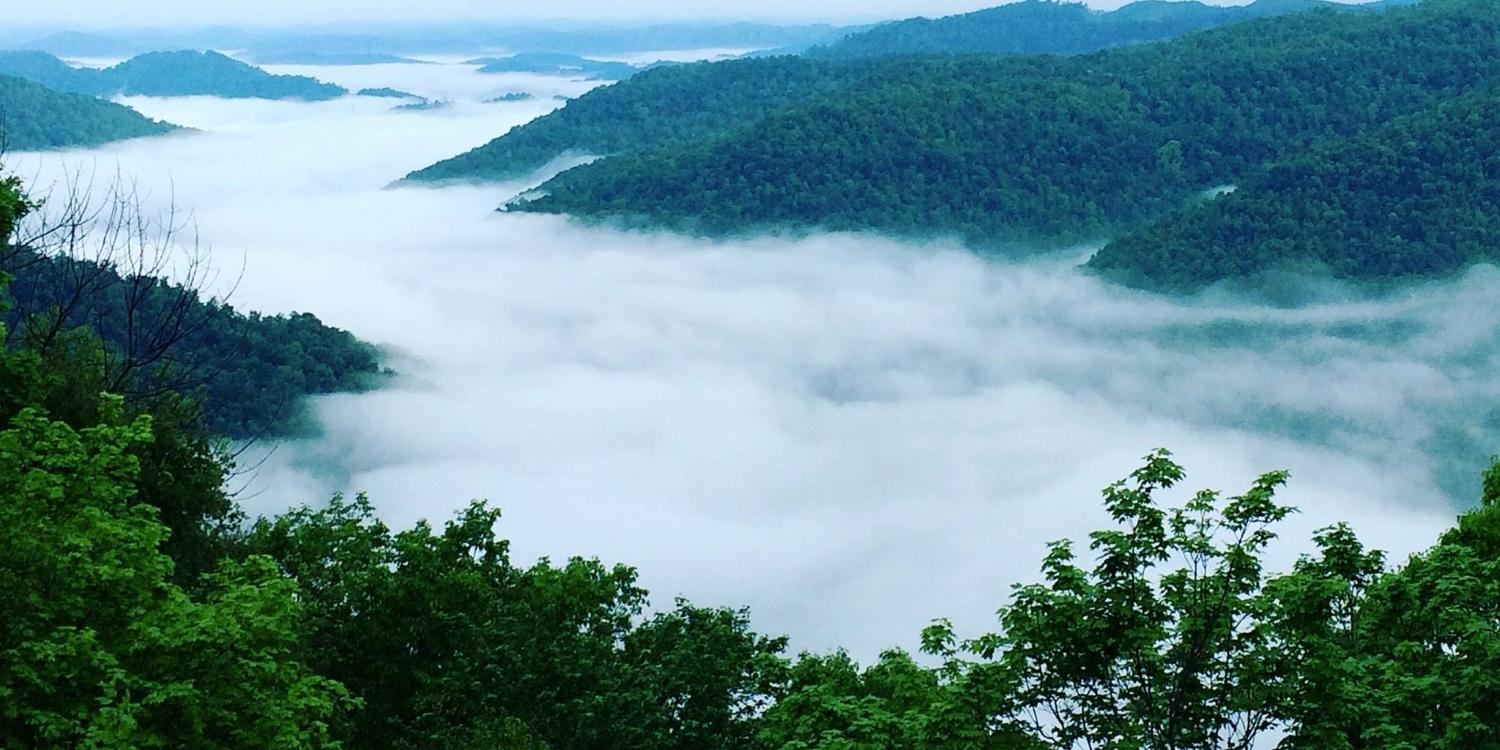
(1403,659)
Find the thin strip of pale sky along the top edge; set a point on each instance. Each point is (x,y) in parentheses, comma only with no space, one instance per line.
(268,13)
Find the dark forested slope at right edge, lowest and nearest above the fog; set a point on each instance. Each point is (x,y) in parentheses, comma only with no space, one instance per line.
(1418,197)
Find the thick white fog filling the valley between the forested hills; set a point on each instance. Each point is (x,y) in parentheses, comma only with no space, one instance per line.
(847,434)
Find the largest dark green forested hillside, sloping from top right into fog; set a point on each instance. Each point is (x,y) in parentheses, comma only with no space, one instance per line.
(994,149)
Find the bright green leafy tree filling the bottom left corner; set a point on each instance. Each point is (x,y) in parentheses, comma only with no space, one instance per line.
(98,649)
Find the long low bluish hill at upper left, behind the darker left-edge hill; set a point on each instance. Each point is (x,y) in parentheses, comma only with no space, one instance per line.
(167,74)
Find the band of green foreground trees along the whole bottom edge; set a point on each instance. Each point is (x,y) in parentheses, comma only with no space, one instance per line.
(143,613)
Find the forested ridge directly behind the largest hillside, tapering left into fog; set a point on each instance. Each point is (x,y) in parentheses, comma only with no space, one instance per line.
(664,106)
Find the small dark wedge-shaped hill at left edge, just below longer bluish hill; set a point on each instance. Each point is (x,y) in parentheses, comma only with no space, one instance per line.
(35,118)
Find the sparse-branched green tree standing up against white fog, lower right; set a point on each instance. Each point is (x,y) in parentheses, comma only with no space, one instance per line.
(1133,653)
